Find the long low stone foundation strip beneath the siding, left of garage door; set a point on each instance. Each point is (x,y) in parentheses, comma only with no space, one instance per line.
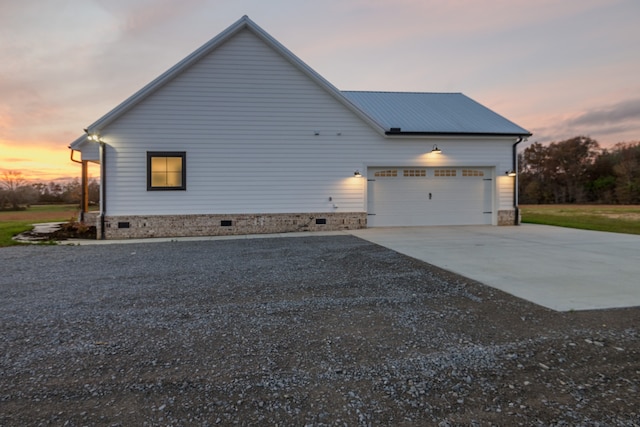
(136,227)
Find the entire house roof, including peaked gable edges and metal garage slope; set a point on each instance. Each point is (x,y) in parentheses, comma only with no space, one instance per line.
(413,113)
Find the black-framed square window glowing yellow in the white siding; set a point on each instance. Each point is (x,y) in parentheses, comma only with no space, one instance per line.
(166,170)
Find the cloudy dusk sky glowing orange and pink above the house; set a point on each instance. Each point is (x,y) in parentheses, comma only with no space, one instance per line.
(559,68)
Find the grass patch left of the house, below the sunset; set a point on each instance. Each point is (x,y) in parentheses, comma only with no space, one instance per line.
(12,223)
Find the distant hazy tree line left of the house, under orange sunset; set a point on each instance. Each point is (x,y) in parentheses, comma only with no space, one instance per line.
(16,192)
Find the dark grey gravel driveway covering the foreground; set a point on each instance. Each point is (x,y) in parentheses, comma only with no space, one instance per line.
(294,331)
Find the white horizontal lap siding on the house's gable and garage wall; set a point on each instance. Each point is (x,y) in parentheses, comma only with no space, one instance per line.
(247,120)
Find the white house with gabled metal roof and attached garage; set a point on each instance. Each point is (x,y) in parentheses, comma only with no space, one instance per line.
(243,137)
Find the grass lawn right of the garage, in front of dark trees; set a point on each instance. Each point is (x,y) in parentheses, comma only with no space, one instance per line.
(613,218)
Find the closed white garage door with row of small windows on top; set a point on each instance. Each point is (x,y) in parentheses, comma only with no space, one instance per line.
(429,196)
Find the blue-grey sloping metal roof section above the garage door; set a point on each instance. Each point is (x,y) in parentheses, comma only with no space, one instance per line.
(411,113)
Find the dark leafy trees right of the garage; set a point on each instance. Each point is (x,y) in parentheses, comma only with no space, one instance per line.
(577,170)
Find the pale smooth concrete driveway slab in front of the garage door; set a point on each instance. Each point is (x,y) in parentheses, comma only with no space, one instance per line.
(559,268)
